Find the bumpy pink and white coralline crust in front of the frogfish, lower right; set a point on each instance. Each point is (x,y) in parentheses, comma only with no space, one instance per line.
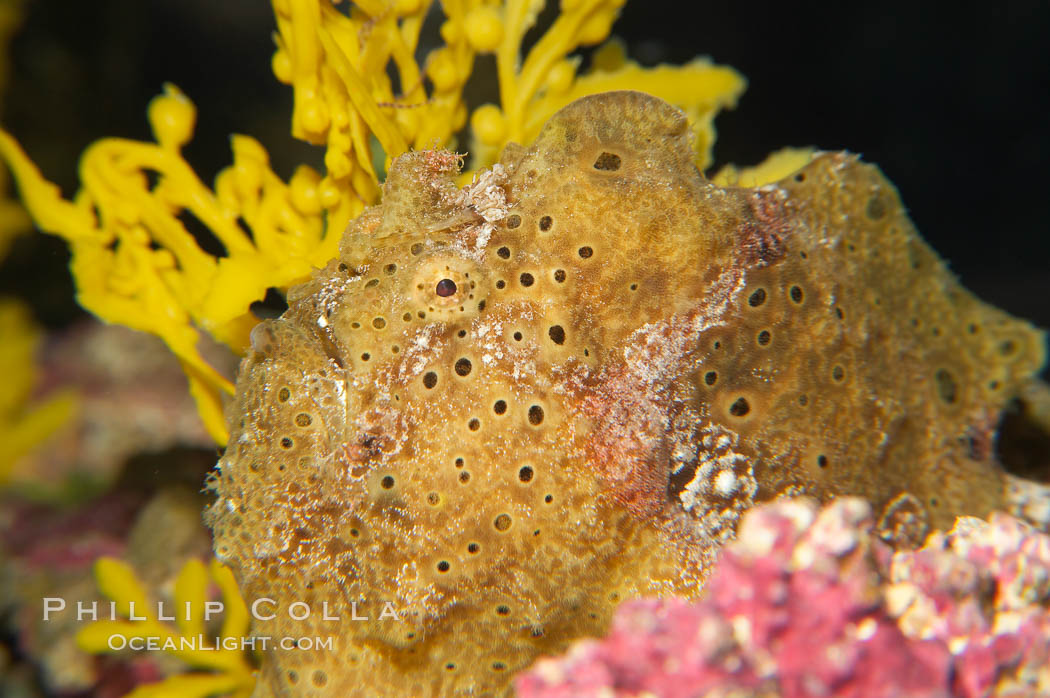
(809,602)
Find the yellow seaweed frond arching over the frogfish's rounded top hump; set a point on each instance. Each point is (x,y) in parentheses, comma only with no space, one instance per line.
(700,88)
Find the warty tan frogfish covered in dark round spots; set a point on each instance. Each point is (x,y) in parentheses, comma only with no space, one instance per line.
(506,409)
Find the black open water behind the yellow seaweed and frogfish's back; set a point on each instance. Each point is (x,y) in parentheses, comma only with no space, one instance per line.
(950,101)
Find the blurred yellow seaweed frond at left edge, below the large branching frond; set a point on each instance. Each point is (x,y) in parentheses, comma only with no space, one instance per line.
(25,425)
